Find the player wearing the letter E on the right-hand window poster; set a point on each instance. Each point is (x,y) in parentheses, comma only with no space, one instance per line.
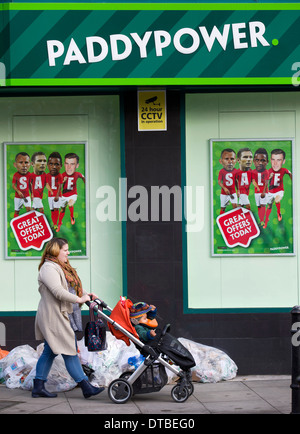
(276,189)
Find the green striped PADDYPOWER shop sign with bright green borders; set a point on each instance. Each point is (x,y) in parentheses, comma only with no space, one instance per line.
(149,44)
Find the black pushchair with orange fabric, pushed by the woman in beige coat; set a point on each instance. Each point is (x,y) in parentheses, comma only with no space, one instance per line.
(163,352)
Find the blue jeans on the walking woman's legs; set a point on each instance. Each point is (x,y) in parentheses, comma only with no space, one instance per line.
(72,363)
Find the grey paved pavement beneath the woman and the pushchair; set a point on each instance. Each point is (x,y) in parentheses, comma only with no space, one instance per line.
(242,395)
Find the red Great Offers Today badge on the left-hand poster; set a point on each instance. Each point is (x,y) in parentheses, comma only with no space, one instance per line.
(31,230)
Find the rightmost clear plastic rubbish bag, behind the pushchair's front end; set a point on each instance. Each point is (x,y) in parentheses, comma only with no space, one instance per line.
(212,364)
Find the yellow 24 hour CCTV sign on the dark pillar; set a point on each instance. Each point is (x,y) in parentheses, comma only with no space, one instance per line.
(152,115)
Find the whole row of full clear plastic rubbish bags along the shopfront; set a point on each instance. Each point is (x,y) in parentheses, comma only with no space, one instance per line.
(17,368)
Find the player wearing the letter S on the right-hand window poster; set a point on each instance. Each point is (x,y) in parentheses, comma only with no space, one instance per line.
(226,179)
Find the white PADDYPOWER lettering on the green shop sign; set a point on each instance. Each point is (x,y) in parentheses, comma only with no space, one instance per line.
(120,46)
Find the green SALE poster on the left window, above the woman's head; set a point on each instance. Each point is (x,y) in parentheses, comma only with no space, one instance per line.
(45,197)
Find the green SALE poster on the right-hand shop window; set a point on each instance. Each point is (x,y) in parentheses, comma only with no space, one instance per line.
(252,197)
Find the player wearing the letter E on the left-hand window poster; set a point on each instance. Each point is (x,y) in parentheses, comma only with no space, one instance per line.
(69,190)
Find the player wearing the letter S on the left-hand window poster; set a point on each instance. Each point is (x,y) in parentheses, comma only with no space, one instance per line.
(20,183)
